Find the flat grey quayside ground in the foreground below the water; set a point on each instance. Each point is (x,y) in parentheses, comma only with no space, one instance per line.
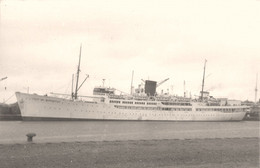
(215,152)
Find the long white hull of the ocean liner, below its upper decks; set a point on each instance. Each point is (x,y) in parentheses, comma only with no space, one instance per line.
(35,107)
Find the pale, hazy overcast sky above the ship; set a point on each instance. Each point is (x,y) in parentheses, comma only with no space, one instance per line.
(157,39)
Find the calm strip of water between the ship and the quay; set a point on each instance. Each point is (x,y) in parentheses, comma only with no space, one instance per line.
(69,131)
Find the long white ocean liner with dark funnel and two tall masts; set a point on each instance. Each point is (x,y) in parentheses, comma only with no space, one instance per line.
(144,104)
